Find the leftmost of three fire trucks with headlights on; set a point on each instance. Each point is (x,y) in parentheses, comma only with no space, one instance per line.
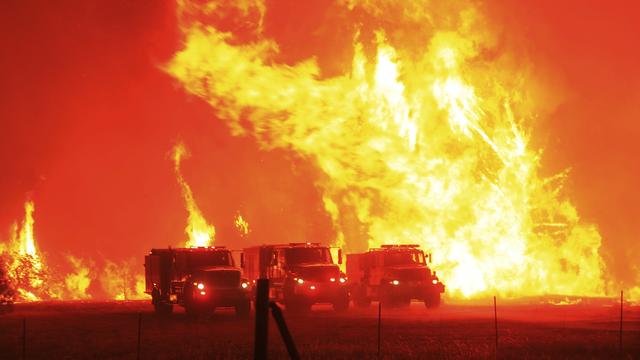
(200,279)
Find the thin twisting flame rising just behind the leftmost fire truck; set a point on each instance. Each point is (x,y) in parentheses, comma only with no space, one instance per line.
(199,231)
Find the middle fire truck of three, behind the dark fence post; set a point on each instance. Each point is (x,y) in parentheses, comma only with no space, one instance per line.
(300,274)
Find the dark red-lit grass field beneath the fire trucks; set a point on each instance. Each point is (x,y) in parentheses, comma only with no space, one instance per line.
(109,330)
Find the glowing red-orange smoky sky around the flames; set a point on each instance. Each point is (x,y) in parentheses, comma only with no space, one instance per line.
(88,119)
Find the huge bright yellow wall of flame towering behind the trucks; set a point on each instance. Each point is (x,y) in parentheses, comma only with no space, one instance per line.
(421,141)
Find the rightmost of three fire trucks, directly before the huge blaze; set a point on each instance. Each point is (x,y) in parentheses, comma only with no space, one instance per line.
(394,275)
